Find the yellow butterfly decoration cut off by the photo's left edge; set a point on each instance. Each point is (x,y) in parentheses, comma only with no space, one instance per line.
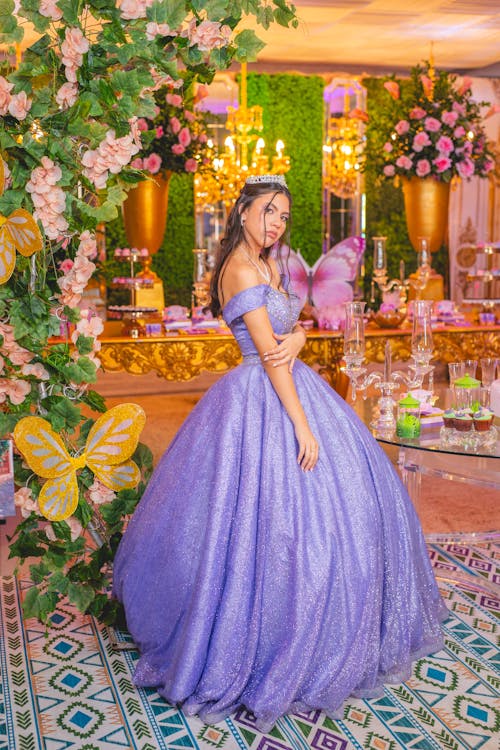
(20,230)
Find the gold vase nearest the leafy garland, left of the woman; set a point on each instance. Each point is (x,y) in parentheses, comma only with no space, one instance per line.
(145,212)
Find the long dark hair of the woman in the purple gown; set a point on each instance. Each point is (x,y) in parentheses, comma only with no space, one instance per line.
(234,234)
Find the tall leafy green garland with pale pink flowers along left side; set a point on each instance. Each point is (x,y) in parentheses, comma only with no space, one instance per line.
(72,118)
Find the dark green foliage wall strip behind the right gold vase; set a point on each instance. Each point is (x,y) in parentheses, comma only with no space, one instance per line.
(385,213)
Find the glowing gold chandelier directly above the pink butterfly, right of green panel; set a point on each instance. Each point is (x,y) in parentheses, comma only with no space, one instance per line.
(343,151)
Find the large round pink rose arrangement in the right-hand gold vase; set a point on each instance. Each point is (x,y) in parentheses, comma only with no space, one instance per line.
(435,128)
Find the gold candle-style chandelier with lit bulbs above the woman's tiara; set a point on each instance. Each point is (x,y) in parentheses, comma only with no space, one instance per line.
(239,158)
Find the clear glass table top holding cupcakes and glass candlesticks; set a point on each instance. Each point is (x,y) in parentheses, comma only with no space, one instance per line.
(432,437)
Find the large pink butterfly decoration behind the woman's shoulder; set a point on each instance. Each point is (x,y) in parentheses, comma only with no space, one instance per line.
(328,282)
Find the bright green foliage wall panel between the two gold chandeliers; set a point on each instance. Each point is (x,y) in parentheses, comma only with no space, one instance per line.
(293,111)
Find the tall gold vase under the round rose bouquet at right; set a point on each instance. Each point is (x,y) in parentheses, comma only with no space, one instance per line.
(426,207)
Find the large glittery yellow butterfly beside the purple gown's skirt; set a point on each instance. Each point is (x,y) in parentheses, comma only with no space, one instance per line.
(110,443)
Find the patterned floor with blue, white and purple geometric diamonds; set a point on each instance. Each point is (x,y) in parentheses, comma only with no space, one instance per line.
(67,687)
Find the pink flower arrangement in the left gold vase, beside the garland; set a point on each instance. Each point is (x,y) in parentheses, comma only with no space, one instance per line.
(175,140)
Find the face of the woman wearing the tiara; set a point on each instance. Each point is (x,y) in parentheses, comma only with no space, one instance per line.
(265,219)
